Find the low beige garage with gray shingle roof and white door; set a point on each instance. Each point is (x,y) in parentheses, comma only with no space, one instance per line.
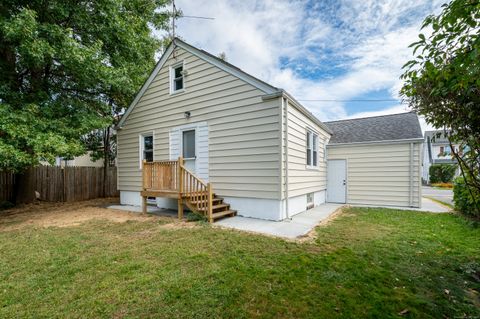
(379,158)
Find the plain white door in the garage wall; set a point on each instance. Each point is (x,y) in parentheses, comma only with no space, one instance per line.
(337,181)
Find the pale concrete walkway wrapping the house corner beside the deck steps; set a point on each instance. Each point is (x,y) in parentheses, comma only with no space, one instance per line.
(300,224)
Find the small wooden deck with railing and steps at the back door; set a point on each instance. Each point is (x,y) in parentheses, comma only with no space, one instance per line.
(171,179)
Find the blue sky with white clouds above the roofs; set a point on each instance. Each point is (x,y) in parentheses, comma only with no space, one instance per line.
(340,50)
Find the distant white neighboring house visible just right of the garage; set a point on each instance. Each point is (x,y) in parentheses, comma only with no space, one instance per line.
(437,150)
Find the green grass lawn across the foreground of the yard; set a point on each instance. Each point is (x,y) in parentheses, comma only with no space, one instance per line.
(370,262)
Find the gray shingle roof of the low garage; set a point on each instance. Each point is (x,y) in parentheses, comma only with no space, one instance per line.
(377,128)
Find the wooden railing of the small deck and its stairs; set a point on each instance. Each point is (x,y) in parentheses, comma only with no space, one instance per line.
(173,176)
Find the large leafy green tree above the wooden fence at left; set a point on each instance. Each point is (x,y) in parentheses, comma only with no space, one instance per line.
(69,68)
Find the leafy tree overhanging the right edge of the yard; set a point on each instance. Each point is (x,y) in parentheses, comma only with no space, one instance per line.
(442,82)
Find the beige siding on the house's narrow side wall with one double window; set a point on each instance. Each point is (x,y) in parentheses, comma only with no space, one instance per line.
(303,179)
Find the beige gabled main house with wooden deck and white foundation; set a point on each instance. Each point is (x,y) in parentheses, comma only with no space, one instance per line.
(204,134)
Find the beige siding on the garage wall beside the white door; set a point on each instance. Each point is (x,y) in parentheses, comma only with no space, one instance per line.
(379,174)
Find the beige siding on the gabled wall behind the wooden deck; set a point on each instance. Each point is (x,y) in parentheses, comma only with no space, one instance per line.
(244,150)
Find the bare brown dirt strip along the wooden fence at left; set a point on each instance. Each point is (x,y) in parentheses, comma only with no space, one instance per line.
(67,214)
